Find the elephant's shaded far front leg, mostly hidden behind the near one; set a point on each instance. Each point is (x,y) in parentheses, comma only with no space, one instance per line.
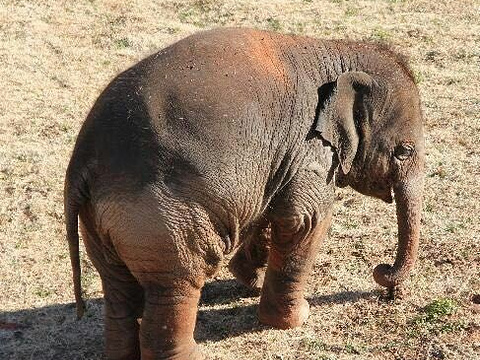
(249,263)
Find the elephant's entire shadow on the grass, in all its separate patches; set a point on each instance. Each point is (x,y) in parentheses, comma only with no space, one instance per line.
(51,332)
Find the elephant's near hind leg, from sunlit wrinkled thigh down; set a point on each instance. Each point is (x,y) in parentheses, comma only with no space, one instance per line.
(170,248)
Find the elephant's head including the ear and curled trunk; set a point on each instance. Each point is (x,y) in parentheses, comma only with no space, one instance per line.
(375,127)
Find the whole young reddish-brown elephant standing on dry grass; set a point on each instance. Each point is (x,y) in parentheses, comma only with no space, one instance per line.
(235,139)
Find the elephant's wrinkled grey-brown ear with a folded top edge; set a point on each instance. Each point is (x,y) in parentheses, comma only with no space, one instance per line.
(335,120)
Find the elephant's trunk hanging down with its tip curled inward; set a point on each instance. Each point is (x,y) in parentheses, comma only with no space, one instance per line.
(408,199)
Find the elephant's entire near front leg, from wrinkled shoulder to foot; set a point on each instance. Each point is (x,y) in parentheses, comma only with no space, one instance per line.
(299,217)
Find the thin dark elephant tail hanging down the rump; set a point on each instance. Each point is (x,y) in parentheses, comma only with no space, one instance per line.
(75,195)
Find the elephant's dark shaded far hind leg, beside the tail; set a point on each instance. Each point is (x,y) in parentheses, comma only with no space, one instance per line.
(123,296)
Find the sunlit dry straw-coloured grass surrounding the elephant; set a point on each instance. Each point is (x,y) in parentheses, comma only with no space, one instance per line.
(56,56)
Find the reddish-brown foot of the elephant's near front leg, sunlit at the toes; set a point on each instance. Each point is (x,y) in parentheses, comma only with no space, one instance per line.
(283,316)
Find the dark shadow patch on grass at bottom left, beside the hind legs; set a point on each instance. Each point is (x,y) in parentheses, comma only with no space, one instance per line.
(51,332)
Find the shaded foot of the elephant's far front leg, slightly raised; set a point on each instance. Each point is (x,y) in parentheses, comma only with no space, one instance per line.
(246,273)
